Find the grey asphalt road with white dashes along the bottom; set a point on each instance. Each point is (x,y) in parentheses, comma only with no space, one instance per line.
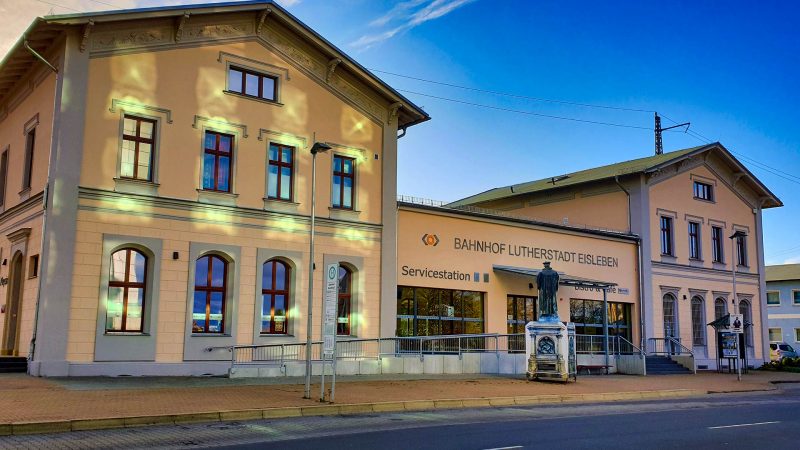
(753,420)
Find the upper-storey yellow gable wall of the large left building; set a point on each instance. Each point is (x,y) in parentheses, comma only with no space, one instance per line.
(190,82)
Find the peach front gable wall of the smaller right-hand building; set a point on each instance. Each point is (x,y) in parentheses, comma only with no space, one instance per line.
(710,280)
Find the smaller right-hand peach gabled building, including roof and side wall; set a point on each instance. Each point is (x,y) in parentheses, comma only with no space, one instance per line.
(684,205)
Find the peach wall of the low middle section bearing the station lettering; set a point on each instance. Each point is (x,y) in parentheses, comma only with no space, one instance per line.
(413,253)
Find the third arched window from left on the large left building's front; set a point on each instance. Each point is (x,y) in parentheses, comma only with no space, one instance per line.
(275,295)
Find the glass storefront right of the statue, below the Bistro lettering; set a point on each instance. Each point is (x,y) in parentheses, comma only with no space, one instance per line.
(588,317)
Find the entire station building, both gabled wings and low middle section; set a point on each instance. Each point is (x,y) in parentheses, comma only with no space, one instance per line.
(156,199)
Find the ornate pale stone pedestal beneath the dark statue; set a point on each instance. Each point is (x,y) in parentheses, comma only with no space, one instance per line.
(550,347)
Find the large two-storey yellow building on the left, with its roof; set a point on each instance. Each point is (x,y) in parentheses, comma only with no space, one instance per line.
(176,199)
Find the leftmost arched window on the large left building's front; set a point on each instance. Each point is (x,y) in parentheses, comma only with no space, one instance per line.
(126,291)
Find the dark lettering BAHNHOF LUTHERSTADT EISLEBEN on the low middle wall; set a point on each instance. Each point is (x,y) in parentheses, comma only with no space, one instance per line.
(526,251)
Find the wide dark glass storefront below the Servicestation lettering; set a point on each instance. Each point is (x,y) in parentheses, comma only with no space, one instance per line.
(430,312)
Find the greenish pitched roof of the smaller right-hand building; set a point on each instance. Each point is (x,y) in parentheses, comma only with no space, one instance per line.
(640,165)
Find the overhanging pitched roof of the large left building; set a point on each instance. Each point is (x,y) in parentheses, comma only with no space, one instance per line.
(44,31)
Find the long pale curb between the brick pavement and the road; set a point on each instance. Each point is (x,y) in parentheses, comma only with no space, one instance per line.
(22,428)
